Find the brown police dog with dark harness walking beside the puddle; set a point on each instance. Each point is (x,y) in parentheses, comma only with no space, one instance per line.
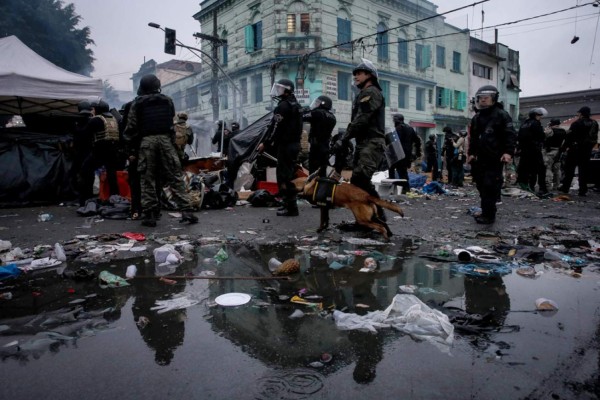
(361,203)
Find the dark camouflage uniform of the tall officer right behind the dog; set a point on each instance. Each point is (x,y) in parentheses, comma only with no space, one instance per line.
(367,128)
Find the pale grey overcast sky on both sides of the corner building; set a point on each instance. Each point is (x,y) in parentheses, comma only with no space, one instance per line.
(549,62)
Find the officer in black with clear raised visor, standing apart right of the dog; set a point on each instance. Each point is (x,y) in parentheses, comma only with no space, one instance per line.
(492,144)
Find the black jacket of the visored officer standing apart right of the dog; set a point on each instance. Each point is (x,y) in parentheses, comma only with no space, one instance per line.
(492,134)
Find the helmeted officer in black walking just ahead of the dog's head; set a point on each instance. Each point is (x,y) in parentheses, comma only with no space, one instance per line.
(284,134)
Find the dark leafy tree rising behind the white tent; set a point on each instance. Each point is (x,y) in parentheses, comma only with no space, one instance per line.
(50,30)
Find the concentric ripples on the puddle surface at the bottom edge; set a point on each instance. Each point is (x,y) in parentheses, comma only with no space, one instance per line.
(289,385)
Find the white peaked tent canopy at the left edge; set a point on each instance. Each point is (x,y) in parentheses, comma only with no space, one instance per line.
(30,84)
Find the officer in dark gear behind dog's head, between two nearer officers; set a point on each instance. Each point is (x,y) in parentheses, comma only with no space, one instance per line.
(322,121)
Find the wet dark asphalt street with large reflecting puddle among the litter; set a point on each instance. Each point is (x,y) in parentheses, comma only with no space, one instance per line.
(66,338)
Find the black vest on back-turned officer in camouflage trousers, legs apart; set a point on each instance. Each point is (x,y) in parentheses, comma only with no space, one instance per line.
(155,115)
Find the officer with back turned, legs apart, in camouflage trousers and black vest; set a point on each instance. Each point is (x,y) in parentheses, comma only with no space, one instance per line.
(151,124)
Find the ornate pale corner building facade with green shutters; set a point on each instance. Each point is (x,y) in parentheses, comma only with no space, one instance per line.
(424,64)
